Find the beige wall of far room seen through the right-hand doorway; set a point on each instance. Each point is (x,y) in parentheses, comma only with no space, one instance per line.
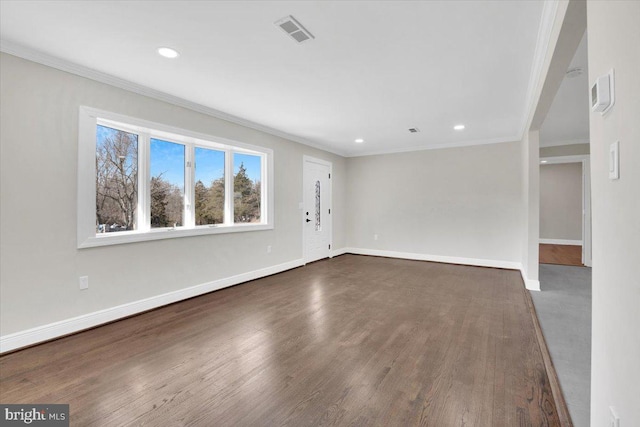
(561,201)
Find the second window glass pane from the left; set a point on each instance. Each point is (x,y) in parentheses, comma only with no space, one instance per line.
(167,183)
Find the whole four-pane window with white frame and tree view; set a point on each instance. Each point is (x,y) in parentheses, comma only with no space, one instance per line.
(137,180)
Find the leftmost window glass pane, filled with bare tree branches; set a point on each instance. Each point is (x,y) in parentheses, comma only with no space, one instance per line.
(116,180)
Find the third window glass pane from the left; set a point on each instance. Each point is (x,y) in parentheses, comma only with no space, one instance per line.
(209,187)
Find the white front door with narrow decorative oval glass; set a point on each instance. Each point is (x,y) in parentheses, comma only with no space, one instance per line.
(316,215)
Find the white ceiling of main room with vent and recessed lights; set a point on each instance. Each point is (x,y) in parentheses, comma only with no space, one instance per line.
(375,68)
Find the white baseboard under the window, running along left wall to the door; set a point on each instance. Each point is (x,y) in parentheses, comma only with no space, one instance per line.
(68,326)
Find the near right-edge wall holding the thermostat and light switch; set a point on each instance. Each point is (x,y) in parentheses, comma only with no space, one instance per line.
(614,35)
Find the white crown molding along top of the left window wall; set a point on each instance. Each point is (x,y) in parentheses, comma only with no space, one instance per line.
(40,57)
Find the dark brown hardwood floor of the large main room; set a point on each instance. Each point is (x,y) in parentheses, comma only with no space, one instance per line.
(352,340)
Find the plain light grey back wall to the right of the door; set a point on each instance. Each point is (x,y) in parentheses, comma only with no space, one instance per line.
(456,202)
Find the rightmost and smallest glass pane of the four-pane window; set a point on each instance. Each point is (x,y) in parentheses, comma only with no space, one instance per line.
(247,187)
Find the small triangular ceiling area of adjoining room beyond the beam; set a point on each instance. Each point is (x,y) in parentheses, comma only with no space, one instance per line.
(567,121)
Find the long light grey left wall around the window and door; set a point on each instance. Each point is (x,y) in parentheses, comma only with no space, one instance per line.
(40,263)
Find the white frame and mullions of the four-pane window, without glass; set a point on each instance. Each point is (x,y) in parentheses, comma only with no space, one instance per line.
(90,118)
